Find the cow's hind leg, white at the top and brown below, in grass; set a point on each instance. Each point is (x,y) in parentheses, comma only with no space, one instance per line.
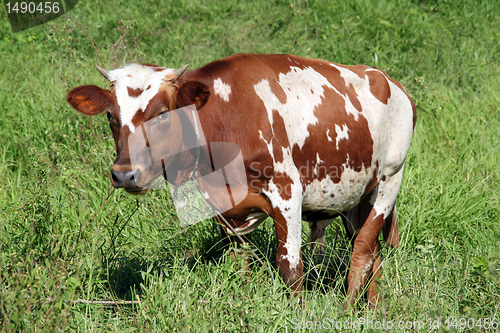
(369,217)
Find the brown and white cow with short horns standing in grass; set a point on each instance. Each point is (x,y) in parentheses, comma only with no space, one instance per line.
(318,139)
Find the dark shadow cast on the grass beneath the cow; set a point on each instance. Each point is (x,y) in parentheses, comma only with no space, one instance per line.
(324,270)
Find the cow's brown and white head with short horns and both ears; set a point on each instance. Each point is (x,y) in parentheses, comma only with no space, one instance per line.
(140,108)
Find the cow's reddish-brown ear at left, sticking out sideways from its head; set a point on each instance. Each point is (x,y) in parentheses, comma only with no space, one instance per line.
(89,100)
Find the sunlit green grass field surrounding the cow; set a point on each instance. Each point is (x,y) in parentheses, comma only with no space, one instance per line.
(58,246)
